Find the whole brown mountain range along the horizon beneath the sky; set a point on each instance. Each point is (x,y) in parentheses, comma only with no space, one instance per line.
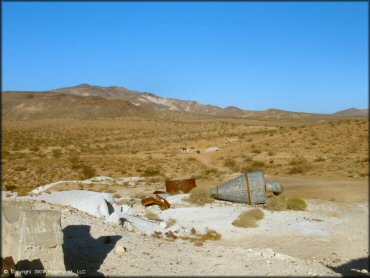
(87,101)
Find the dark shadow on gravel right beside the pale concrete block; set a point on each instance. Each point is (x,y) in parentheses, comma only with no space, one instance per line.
(84,254)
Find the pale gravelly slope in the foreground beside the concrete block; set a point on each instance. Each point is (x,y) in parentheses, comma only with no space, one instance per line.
(85,250)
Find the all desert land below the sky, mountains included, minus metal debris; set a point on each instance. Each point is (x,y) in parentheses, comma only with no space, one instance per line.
(68,149)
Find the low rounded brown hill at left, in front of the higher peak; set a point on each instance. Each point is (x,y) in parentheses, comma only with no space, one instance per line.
(31,105)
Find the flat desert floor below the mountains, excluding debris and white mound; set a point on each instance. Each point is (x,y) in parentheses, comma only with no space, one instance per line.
(324,162)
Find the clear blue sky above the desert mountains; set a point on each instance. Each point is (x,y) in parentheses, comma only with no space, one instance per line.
(298,56)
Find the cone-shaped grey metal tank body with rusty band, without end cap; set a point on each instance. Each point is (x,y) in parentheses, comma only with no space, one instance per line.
(248,188)
